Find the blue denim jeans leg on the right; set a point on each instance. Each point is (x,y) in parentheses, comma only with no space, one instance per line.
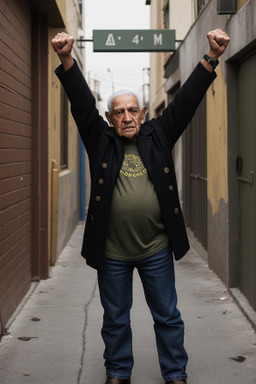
(158,279)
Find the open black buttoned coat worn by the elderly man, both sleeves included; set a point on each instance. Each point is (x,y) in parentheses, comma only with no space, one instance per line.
(106,150)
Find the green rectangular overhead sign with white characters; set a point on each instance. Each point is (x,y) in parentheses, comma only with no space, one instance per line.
(119,40)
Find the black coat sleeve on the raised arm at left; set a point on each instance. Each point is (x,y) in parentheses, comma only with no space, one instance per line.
(83,106)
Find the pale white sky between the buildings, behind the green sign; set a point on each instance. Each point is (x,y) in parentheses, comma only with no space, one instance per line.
(116,70)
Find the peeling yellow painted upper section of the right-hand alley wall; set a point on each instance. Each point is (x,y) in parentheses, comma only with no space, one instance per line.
(217,149)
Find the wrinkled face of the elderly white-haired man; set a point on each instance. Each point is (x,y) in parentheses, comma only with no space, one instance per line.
(126,117)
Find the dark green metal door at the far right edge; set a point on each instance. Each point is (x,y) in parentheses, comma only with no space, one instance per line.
(246,168)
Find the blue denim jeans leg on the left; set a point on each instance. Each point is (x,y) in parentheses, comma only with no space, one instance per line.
(115,286)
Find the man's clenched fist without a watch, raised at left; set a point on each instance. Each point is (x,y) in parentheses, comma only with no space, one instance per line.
(62,44)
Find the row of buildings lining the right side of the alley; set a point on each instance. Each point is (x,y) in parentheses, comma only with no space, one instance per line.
(216,158)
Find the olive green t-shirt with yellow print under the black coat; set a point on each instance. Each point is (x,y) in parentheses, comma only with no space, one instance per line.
(136,229)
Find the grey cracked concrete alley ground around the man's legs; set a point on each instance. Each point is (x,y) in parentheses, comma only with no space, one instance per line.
(61,321)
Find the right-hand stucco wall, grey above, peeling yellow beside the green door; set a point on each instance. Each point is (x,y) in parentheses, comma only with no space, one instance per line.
(221,112)
